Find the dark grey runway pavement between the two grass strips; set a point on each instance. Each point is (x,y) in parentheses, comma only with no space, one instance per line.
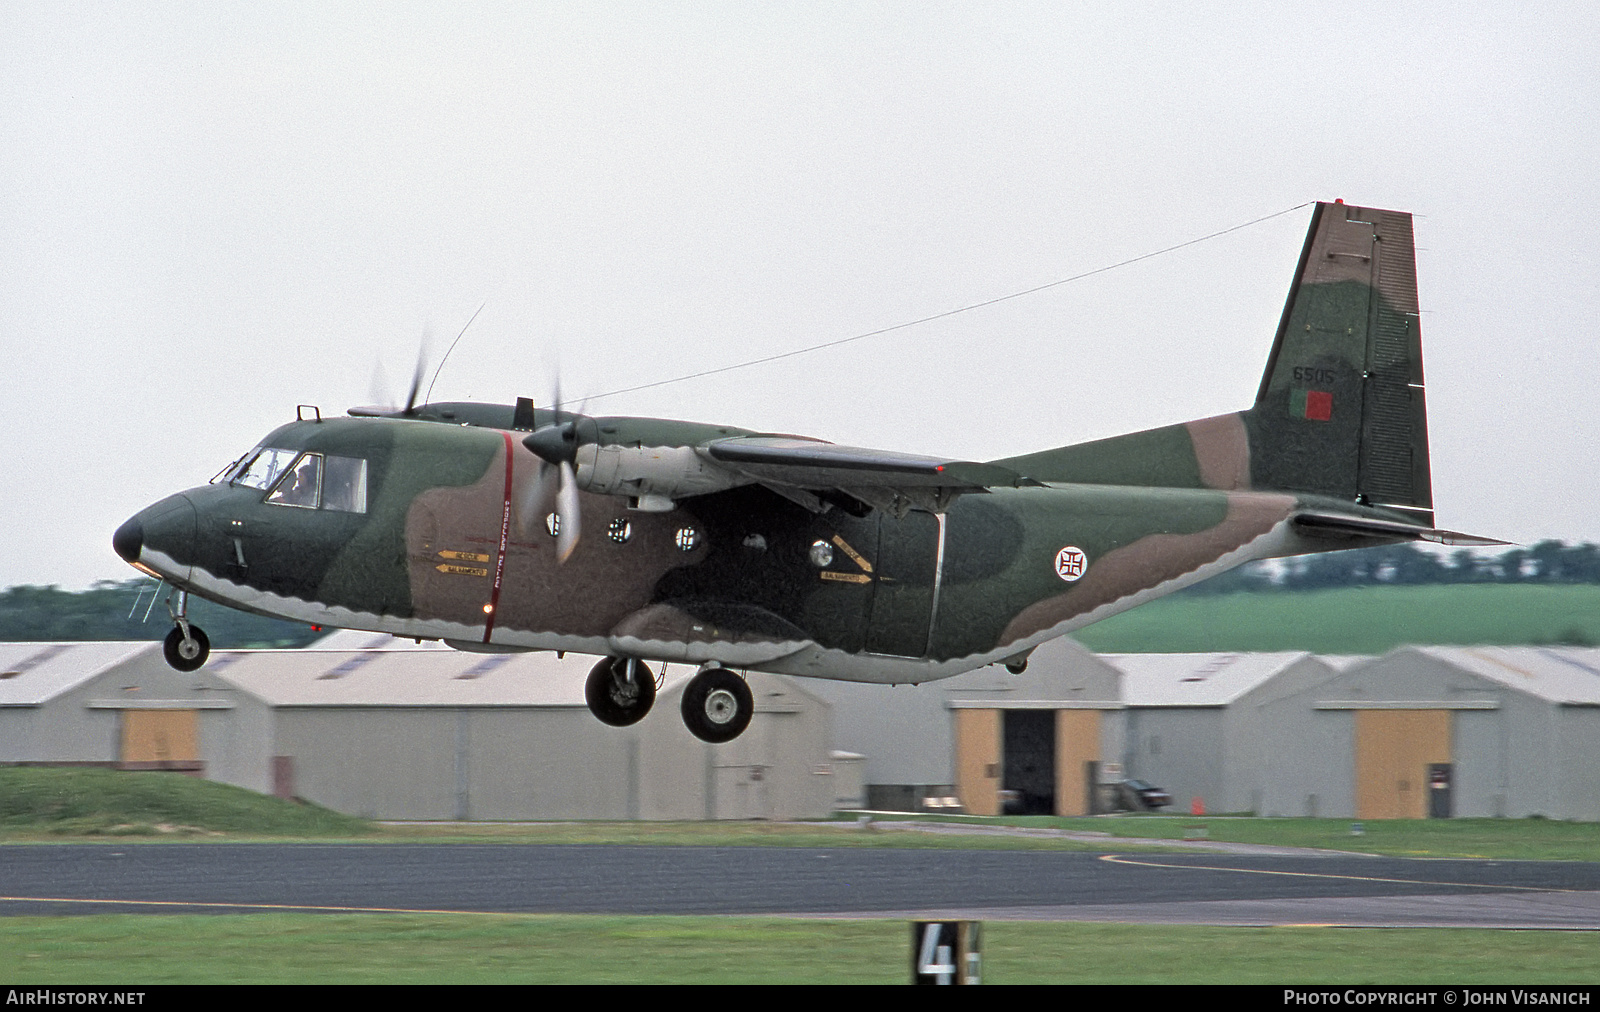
(898,883)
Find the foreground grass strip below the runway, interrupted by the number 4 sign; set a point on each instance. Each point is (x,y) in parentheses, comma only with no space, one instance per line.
(500,949)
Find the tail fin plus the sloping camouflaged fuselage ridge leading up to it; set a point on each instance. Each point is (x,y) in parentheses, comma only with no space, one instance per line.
(1340,411)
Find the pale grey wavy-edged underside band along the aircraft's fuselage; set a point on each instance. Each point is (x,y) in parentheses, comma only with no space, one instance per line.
(804,659)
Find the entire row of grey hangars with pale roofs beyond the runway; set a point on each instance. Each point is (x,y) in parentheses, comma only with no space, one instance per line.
(375,728)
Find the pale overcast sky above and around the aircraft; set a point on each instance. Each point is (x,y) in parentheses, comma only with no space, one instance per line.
(210,214)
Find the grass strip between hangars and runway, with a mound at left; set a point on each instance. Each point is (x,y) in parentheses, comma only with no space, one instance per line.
(90,805)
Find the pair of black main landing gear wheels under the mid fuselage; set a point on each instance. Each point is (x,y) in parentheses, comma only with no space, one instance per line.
(718,704)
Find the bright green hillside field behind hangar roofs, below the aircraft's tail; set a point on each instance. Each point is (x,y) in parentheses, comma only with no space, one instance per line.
(1354,620)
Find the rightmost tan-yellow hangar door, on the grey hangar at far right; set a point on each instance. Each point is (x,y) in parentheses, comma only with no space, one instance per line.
(1393,753)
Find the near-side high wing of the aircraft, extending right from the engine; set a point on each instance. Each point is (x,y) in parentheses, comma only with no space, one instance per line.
(879,478)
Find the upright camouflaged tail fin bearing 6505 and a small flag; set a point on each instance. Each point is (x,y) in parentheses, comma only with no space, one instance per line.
(1342,408)
